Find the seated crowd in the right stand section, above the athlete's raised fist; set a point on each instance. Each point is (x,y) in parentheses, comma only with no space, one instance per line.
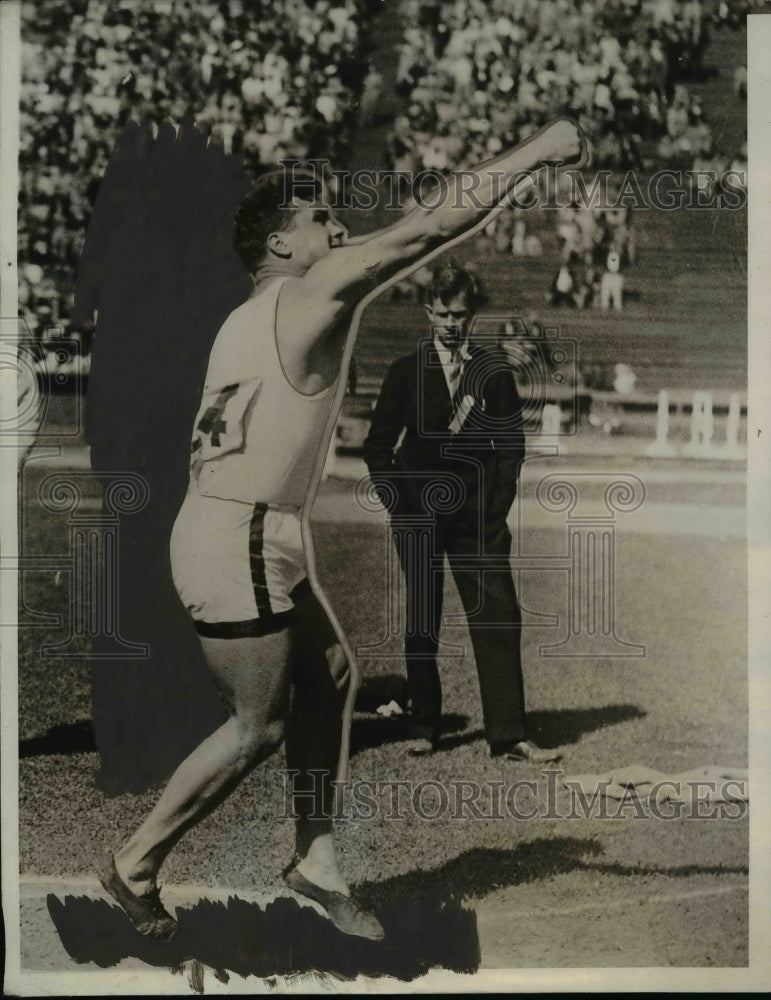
(499,68)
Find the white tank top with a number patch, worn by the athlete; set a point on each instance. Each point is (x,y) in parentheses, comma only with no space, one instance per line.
(256,438)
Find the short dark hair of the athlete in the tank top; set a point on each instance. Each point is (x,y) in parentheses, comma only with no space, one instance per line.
(267,208)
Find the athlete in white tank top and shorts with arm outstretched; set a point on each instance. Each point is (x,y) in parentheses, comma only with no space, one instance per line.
(237,548)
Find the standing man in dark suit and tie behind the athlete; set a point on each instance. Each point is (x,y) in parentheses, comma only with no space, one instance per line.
(444,451)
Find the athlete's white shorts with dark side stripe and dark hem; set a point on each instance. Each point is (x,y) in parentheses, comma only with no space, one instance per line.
(237,566)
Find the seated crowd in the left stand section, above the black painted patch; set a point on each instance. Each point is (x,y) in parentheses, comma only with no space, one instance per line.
(277,80)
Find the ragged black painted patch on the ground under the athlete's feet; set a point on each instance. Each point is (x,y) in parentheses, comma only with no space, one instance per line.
(284,938)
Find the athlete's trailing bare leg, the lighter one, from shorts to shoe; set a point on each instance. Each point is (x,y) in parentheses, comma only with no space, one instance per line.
(254,677)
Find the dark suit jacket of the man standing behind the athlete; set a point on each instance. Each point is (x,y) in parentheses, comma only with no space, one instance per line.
(484,456)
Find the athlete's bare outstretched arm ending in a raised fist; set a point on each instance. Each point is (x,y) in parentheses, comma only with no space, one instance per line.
(349,272)
